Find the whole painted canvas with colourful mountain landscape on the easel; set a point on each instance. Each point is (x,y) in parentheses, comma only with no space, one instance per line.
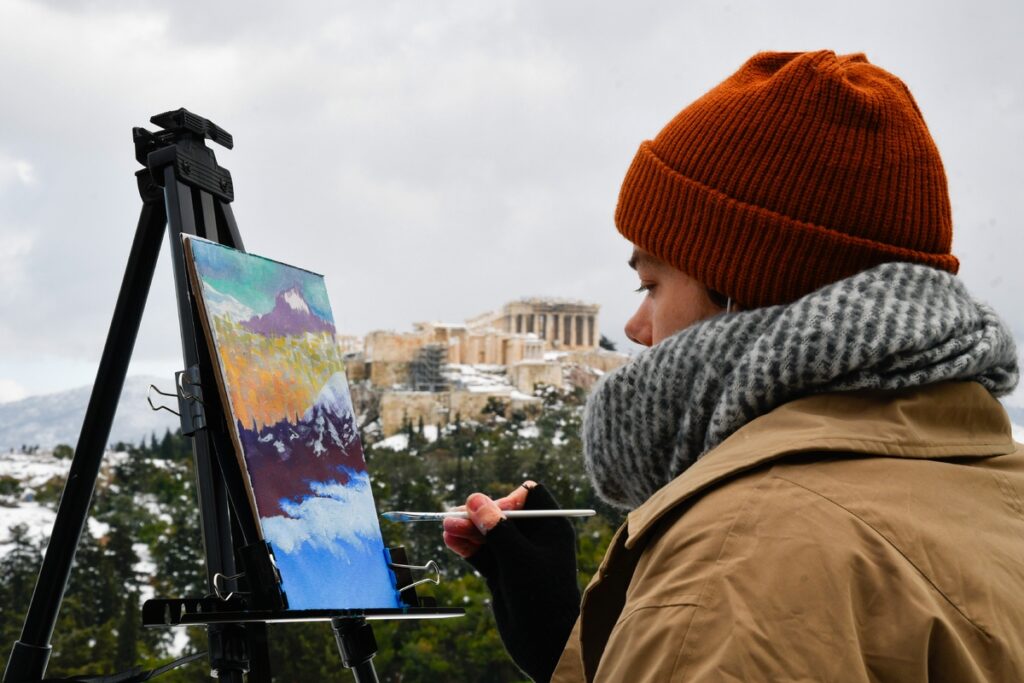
(282,378)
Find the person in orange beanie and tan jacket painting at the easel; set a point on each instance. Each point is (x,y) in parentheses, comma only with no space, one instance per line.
(821,482)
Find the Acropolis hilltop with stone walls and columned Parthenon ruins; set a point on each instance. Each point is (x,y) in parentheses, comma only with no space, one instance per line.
(441,370)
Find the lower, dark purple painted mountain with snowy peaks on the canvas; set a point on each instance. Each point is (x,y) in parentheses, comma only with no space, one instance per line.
(284,458)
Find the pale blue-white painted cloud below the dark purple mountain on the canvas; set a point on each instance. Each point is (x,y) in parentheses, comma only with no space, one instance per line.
(335,517)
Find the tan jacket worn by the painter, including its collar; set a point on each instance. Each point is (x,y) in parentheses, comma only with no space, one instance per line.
(861,537)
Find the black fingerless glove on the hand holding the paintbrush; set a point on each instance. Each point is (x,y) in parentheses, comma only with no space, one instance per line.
(530,566)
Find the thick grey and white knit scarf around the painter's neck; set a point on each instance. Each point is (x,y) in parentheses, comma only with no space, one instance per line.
(895,326)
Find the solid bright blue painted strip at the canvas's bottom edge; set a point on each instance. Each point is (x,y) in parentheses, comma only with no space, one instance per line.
(317,579)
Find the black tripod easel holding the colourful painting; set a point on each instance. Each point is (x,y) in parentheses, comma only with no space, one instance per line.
(184,189)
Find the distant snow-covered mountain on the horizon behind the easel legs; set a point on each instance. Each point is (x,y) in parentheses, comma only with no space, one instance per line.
(49,420)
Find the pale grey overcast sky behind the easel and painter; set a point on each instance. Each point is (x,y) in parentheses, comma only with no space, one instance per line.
(435,160)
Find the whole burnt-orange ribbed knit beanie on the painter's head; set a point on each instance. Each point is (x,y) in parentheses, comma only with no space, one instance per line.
(798,170)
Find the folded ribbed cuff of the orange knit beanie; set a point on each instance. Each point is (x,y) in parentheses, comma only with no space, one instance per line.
(756,257)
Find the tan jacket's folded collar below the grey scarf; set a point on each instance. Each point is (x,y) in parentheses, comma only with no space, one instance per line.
(959,419)
